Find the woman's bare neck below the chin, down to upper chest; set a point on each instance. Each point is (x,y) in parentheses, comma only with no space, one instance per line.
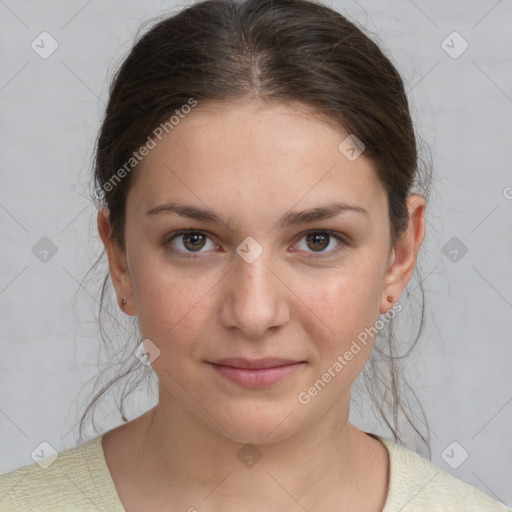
(326,461)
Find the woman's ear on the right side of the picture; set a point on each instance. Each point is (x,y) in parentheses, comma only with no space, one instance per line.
(406,250)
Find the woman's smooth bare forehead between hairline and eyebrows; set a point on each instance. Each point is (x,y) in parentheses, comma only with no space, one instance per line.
(253,156)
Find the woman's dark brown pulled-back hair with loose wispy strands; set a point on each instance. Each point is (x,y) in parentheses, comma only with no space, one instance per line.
(276,51)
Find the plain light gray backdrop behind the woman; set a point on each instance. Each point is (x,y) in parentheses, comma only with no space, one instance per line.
(51,110)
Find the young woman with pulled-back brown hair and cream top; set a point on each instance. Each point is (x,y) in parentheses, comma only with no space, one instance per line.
(256,166)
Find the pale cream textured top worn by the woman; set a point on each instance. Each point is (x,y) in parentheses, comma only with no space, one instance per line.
(79,480)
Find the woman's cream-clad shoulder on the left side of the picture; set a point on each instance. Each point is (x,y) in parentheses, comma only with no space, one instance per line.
(77,480)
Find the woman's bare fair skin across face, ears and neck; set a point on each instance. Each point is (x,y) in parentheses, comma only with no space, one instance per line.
(251,163)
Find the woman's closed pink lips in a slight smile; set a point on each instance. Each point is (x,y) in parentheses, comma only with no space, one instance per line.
(256,373)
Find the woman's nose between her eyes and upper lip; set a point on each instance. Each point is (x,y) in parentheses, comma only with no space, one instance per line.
(255,298)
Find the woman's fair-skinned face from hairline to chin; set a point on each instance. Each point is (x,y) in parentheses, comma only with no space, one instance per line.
(234,274)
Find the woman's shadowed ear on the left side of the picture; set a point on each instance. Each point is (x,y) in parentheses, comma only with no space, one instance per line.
(117,264)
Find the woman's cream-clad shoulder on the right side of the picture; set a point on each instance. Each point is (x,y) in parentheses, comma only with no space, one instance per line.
(415,484)
